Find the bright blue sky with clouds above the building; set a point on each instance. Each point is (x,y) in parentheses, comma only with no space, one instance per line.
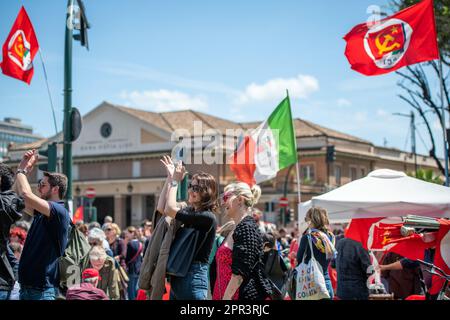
(231,59)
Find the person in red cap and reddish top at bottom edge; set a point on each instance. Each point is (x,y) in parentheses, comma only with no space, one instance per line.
(87,290)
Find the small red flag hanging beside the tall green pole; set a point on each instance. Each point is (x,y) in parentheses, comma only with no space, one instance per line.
(19,49)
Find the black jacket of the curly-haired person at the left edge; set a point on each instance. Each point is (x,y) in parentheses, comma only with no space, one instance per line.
(10,206)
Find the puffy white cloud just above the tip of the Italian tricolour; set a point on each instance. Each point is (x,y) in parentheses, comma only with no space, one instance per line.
(299,87)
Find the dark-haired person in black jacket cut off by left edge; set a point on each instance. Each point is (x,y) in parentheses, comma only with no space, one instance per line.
(10,207)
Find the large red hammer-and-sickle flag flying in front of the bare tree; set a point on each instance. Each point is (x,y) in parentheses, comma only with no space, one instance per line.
(405,38)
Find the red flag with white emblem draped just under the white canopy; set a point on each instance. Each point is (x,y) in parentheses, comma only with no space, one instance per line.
(384,234)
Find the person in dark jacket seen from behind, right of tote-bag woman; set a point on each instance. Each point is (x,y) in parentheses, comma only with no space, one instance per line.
(353,269)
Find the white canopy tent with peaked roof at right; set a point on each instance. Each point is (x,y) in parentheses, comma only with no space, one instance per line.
(383,193)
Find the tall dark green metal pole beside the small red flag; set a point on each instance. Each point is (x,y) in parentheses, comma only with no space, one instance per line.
(67,155)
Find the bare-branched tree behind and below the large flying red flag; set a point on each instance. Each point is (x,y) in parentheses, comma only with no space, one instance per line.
(416,79)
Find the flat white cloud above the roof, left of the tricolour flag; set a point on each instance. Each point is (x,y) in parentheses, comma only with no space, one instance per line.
(164,100)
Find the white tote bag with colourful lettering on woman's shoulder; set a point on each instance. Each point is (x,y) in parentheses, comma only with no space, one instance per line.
(310,279)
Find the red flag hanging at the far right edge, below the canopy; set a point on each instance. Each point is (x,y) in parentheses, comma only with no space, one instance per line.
(442,255)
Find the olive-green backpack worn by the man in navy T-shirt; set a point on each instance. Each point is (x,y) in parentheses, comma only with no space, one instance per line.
(70,263)
